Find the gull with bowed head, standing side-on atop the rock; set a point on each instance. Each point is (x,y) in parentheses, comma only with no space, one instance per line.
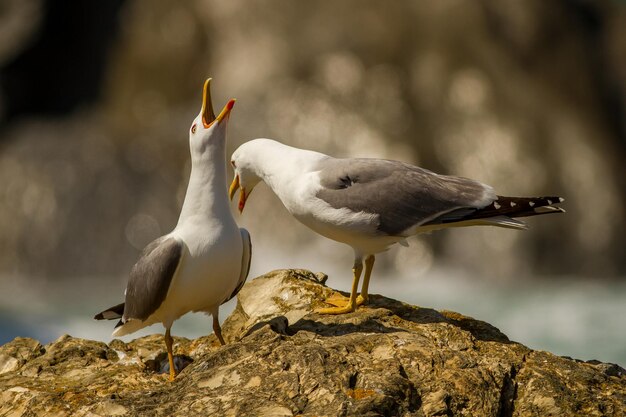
(372,204)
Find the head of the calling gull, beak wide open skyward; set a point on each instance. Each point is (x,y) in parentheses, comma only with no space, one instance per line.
(207,129)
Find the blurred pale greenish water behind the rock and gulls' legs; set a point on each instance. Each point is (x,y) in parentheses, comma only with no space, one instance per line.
(576,317)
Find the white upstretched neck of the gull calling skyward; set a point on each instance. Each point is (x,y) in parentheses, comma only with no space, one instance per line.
(206,196)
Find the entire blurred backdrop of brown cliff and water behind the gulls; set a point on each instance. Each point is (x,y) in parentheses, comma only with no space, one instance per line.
(96,99)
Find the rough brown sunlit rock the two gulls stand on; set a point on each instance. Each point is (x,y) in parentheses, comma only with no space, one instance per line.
(283,359)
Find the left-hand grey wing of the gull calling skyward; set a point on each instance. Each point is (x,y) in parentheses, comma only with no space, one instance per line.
(151,276)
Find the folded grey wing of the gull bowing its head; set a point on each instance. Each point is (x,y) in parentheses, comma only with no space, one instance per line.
(402,195)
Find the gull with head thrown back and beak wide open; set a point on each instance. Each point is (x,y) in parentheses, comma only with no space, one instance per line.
(205,260)
